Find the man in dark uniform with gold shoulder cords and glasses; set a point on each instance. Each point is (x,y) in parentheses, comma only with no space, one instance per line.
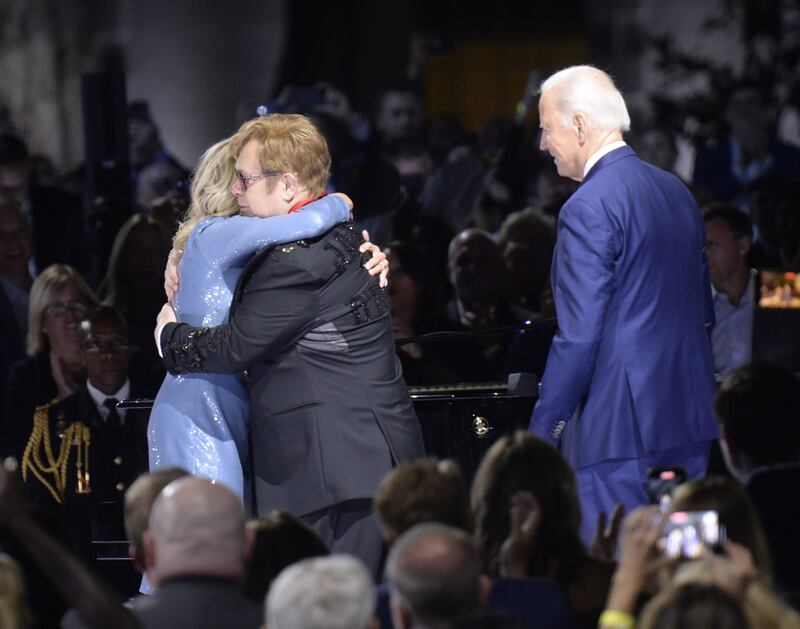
(84,452)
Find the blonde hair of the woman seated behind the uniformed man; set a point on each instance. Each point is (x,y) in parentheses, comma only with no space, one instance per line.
(44,292)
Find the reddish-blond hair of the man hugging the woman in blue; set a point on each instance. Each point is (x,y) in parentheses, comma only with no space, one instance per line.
(289,143)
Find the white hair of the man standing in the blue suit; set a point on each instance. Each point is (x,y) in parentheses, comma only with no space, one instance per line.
(592,92)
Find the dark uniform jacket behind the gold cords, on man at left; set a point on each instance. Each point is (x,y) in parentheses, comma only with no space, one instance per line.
(115,460)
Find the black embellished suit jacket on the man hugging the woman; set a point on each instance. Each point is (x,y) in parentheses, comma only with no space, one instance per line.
(330,413)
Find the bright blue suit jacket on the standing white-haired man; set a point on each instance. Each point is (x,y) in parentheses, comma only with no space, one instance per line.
(630,371)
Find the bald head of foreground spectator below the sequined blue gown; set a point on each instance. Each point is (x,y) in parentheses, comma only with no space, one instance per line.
(196,528)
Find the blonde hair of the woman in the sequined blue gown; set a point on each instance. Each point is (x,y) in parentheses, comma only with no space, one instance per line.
(211,191)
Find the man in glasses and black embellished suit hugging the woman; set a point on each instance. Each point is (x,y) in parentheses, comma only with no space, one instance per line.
(329,411)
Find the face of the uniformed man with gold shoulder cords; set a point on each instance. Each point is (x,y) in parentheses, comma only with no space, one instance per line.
(105,351)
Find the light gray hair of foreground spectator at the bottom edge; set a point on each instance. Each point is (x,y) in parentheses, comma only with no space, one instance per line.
(334,592)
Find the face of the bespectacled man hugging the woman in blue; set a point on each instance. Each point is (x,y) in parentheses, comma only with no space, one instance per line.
(263,197)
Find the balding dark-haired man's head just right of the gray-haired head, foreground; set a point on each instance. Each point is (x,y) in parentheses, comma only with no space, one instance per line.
(434,576)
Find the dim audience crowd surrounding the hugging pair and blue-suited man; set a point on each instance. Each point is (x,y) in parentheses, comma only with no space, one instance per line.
(469,222)
